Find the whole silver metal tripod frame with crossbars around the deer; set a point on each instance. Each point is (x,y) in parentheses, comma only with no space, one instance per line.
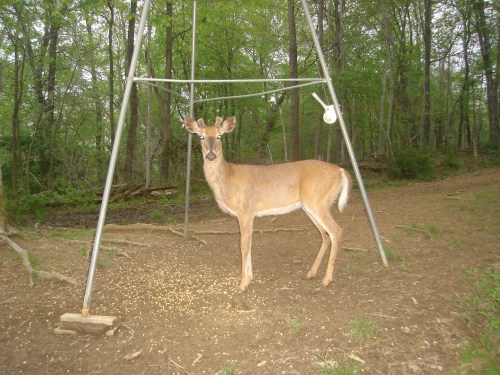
(192,81)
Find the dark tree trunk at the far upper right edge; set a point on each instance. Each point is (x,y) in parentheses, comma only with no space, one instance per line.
(491,78)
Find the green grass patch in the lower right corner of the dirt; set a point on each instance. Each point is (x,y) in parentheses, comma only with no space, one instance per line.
(481,313)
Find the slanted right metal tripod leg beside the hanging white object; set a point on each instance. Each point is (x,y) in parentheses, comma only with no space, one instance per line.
(344,133)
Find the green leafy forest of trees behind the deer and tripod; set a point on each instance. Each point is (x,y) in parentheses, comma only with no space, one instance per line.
(415,79)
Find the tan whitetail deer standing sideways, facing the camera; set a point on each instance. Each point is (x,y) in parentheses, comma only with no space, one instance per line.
(249,191)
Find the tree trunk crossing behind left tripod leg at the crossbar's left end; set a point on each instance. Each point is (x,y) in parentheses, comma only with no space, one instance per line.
(134,100)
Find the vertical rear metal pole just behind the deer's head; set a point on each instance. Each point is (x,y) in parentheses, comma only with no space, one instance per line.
(191,114)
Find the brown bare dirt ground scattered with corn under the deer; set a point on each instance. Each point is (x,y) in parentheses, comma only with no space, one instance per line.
(180,310)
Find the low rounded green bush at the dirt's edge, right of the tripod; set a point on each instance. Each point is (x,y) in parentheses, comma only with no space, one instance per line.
(411,163)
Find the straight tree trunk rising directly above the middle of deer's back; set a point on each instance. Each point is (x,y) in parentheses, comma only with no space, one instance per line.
(294,93)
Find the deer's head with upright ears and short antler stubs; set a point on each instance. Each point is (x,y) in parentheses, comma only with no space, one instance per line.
(210,136)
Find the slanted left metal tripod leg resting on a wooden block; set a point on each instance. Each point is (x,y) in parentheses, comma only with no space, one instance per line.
(112,162)
